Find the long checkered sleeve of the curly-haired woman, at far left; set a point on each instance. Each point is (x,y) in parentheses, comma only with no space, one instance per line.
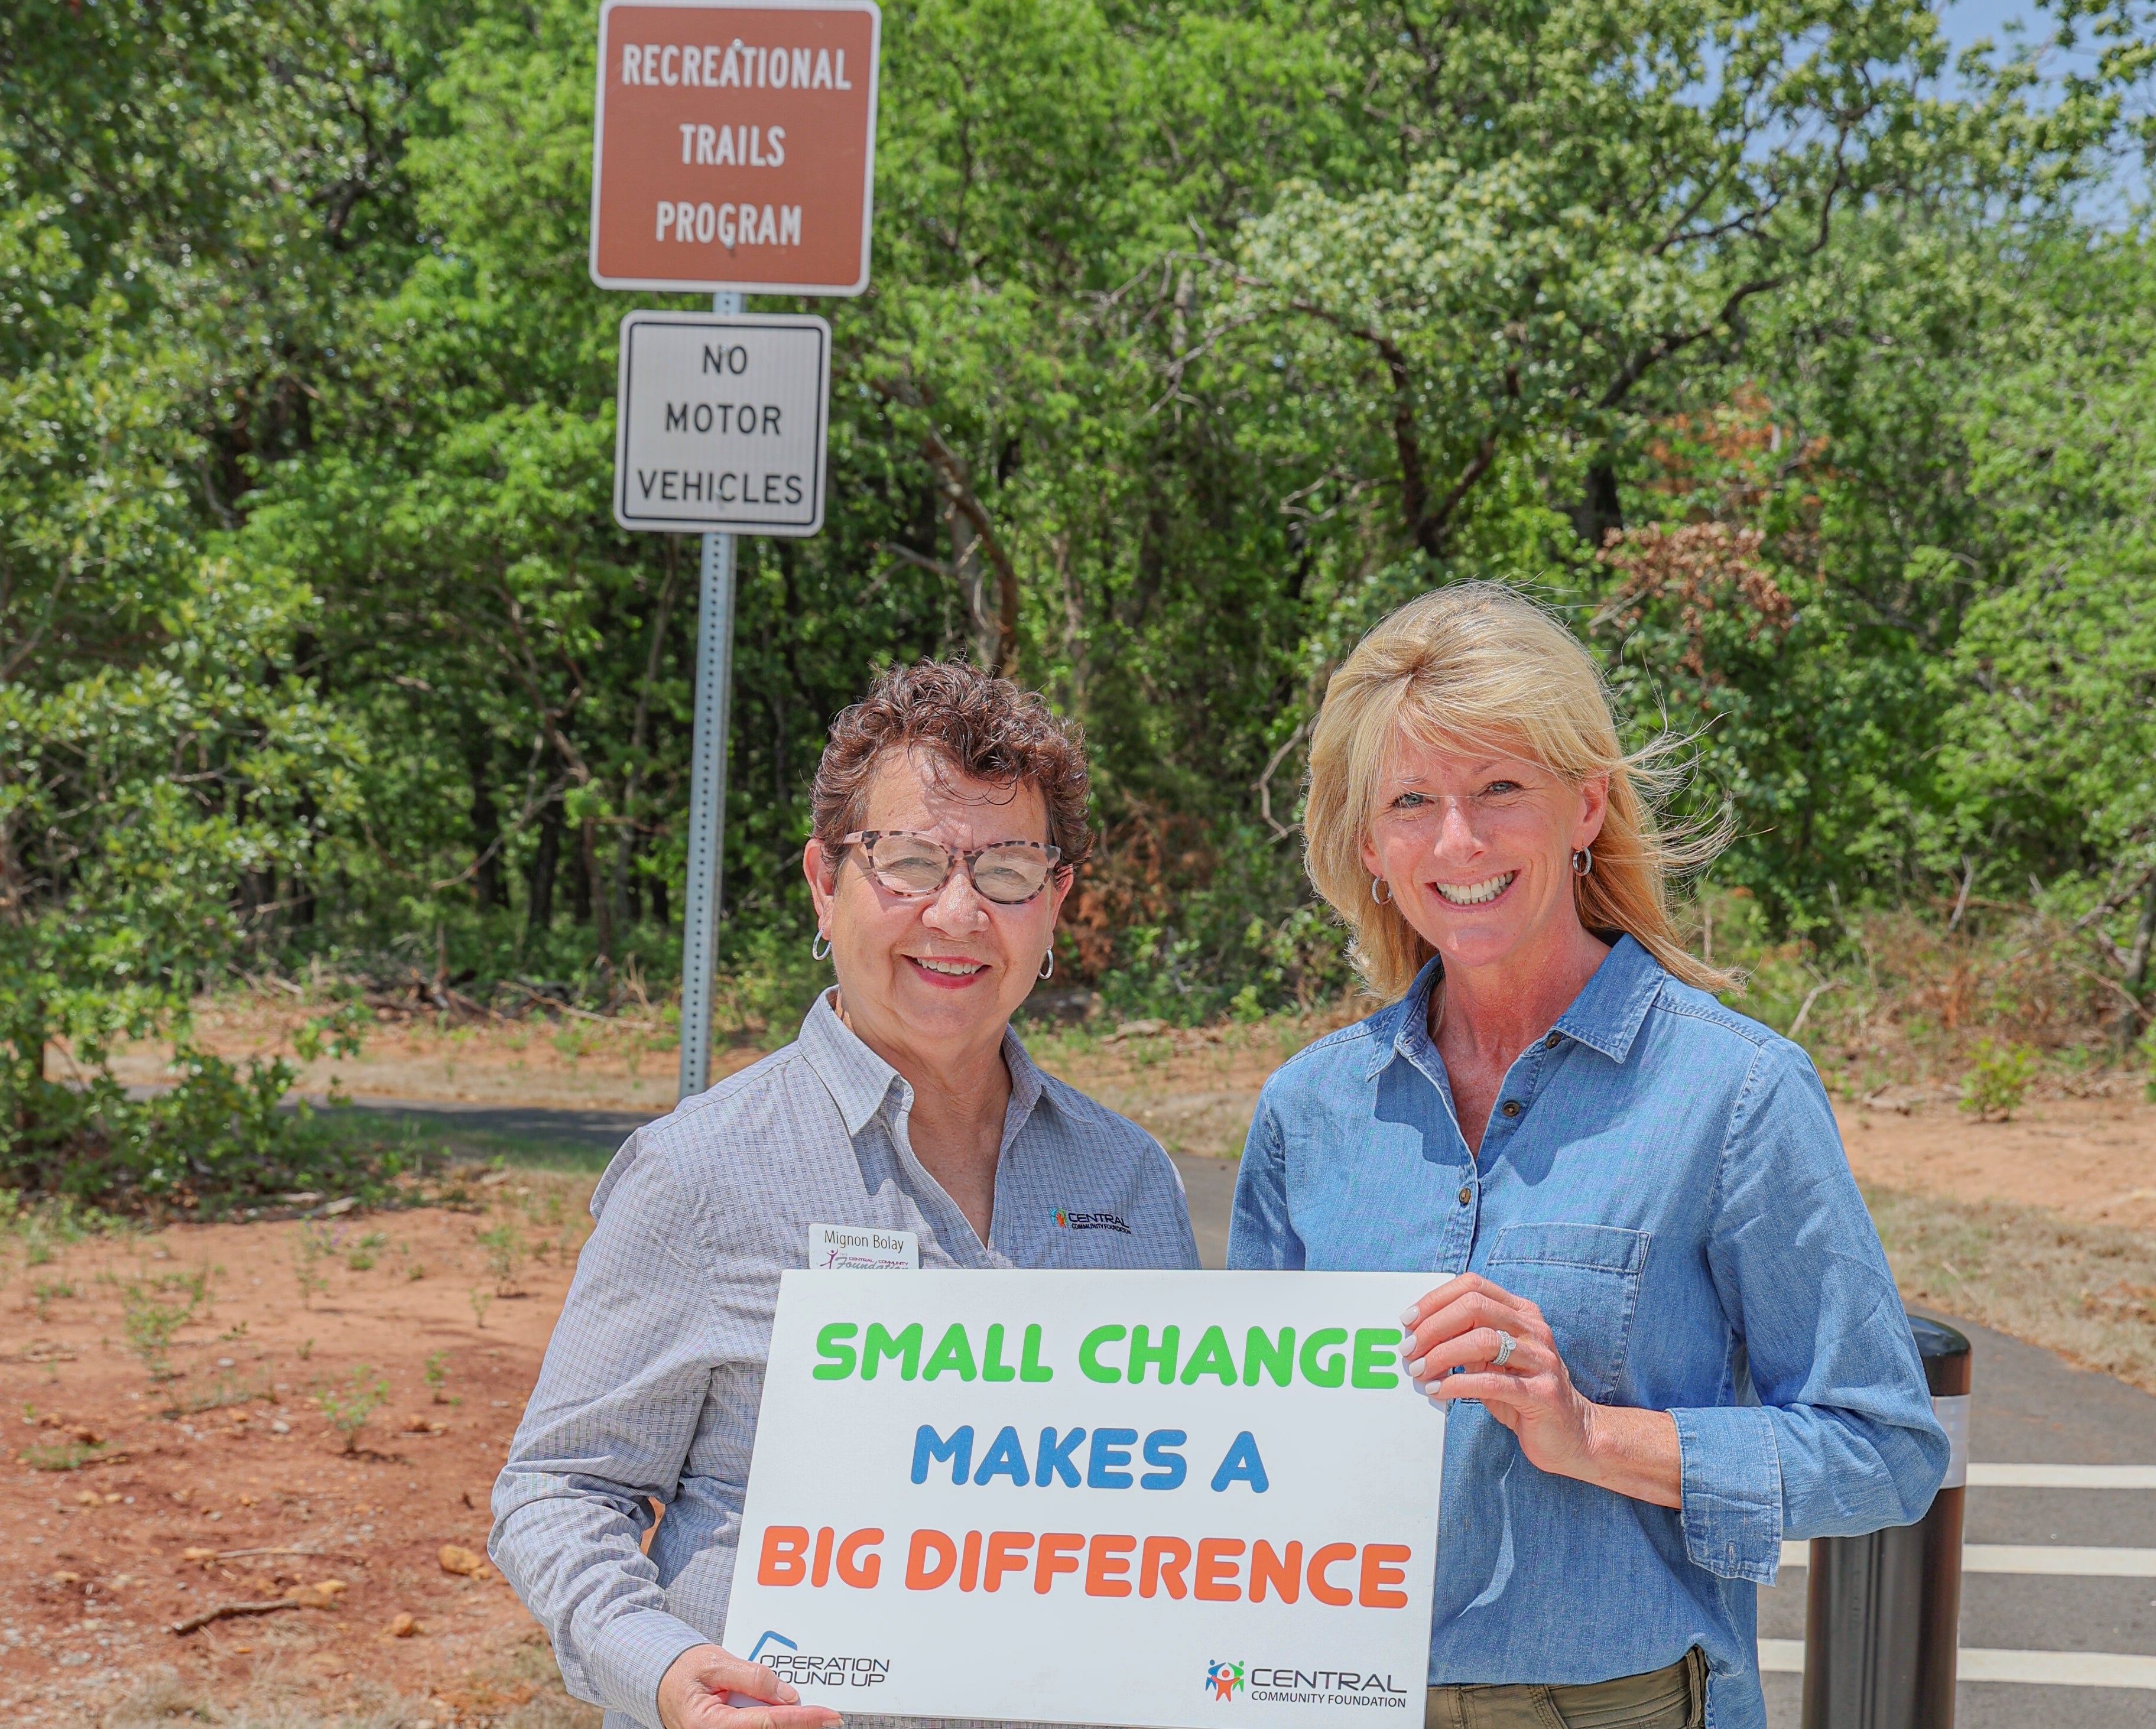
(605,1435)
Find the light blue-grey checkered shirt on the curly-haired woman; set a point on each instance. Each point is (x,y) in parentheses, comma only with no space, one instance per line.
(657,1366)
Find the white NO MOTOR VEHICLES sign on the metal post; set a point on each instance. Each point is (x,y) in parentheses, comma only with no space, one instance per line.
(719,424)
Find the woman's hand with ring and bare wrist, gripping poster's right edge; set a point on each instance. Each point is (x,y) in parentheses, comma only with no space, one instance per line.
(1459,1325)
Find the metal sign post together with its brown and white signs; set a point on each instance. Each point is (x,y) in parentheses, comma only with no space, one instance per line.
(734,150)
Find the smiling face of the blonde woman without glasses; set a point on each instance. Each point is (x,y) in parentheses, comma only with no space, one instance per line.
(1476,846)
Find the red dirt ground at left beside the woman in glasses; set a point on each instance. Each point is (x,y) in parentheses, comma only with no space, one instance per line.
(98,1560)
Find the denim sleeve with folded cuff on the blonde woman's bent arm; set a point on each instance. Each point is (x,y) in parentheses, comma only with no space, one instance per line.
(1842,1437)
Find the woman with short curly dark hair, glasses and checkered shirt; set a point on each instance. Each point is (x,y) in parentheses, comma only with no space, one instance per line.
(950,812)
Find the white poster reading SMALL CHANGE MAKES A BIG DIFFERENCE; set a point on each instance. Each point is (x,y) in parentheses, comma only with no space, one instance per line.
(1094,1497)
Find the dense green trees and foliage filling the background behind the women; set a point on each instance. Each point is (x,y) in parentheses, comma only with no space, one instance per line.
(1200,337)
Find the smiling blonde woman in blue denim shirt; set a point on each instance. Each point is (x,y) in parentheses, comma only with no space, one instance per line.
(1666,1333)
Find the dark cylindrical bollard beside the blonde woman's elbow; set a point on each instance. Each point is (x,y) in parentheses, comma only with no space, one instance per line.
(1883,1614)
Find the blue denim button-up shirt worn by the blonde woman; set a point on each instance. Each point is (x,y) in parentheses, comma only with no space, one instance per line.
(1663,1178)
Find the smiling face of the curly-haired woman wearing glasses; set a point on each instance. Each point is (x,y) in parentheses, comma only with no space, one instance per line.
(941,973)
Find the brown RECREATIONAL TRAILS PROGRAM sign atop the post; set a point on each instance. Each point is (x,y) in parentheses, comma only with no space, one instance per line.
(734,146)
